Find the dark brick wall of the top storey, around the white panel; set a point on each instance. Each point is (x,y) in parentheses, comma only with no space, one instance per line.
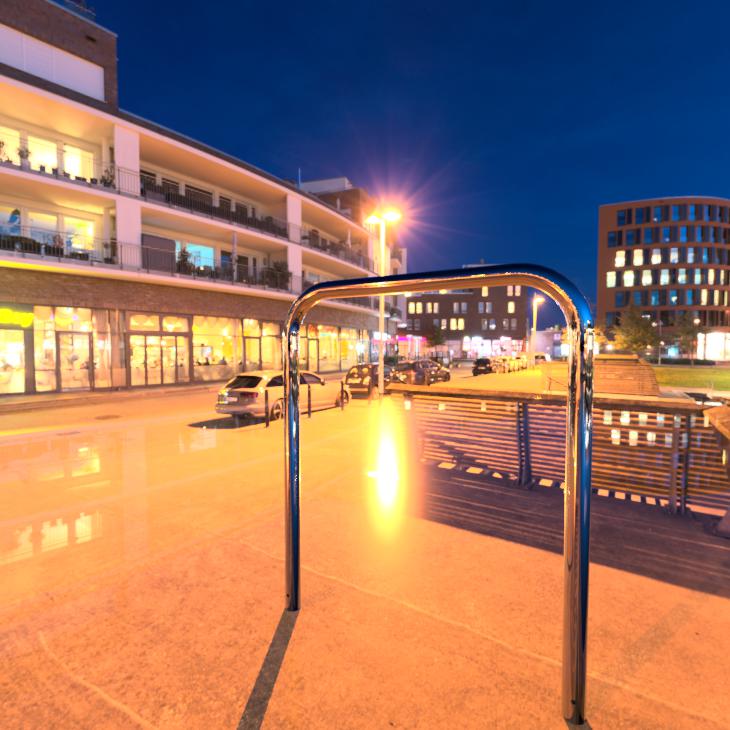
(61,28)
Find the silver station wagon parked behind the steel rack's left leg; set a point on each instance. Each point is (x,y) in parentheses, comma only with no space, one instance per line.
(245,394)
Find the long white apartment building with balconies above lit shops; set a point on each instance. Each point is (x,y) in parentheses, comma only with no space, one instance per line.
(133,256)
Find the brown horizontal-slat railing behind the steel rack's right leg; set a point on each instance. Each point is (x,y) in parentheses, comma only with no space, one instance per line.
(665,453)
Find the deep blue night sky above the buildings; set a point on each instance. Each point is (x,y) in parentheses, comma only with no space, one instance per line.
(504,125)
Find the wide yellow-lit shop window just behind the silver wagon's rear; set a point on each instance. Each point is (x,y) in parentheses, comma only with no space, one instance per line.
(216,348)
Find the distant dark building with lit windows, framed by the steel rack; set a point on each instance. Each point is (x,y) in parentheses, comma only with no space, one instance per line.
(482,322)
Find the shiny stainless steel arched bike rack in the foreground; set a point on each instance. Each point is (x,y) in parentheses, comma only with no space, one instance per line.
(579,427)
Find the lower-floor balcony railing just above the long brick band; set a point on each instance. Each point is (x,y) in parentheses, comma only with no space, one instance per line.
(36,243)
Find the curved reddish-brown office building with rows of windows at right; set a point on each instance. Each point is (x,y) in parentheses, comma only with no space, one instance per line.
(668,257)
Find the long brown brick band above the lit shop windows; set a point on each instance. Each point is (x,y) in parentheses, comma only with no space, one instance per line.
(18,286)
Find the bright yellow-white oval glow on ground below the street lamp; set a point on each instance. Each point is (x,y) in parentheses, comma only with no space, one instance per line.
(388,453)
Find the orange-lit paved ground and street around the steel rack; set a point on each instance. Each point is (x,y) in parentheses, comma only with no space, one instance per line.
(141,559)
